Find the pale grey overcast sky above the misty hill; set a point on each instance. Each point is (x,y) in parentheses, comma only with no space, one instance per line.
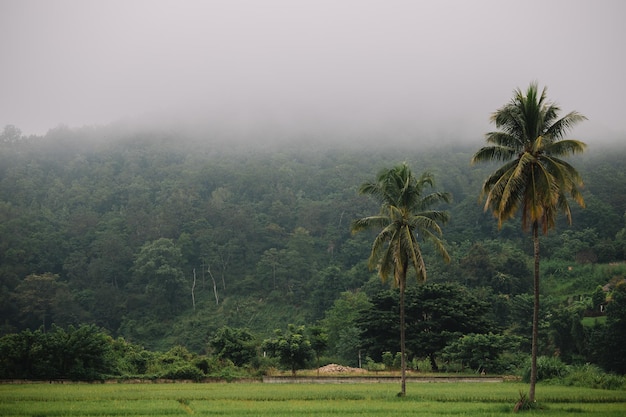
(434,67)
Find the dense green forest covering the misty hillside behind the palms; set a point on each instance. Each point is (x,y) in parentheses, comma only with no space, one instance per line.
(167,237)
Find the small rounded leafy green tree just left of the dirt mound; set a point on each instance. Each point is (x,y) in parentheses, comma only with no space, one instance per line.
(293,348)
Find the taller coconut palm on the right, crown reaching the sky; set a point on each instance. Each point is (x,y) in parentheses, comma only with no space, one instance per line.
(534,177)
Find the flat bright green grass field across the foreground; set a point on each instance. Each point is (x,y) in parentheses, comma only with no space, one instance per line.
(257,399)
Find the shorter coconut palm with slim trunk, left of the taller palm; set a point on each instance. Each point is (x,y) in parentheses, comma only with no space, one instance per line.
(405,218)
